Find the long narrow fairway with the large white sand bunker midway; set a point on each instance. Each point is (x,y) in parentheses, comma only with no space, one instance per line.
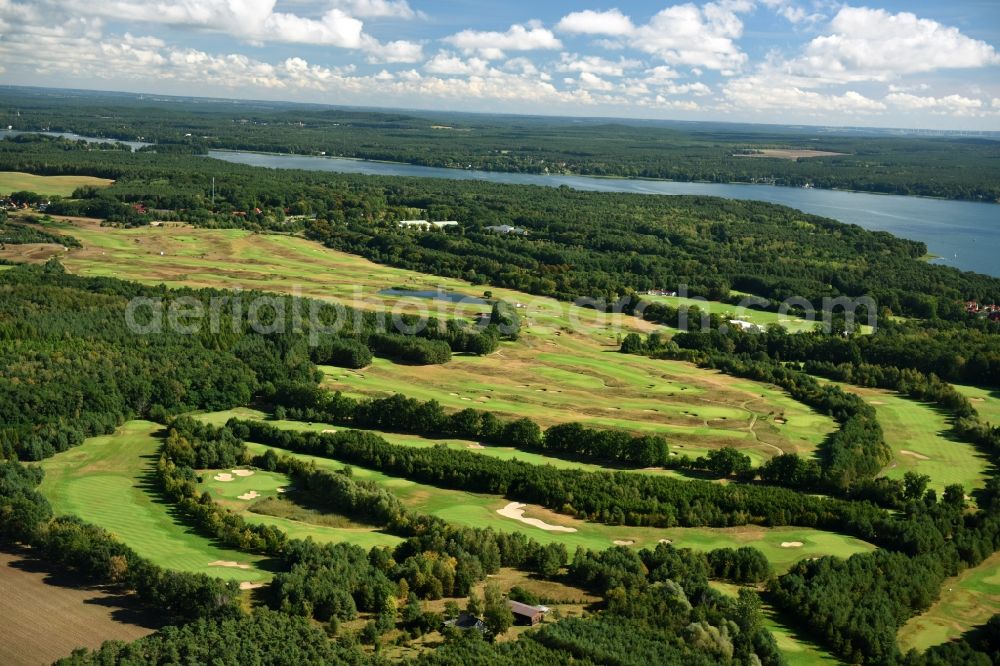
(478,510)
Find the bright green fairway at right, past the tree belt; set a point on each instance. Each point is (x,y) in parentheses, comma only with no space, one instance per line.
(920,437)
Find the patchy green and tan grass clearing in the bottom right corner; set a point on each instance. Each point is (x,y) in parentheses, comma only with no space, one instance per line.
(967,600)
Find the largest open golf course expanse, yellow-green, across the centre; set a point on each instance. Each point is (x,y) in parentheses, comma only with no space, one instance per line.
(564,368)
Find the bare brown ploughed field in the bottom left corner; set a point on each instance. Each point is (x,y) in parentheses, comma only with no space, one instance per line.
(47,614)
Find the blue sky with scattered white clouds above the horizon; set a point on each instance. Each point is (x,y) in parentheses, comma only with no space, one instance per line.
(920,64)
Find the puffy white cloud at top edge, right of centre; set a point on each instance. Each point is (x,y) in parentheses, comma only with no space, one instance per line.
(696,36)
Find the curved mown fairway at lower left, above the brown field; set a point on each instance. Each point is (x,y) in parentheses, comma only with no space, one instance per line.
(109,481)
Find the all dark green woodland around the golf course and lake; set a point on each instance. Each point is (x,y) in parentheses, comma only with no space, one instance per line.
(69,370)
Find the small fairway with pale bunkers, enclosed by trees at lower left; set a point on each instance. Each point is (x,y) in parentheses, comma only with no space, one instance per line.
(235,494)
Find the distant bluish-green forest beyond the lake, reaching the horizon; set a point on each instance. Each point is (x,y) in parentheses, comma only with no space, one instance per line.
(949,167)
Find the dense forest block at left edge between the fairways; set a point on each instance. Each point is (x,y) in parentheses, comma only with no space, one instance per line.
(71,369)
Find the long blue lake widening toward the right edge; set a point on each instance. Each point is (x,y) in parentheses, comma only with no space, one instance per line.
(963,234)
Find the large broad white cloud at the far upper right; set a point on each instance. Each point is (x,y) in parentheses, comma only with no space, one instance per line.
(874,45)
